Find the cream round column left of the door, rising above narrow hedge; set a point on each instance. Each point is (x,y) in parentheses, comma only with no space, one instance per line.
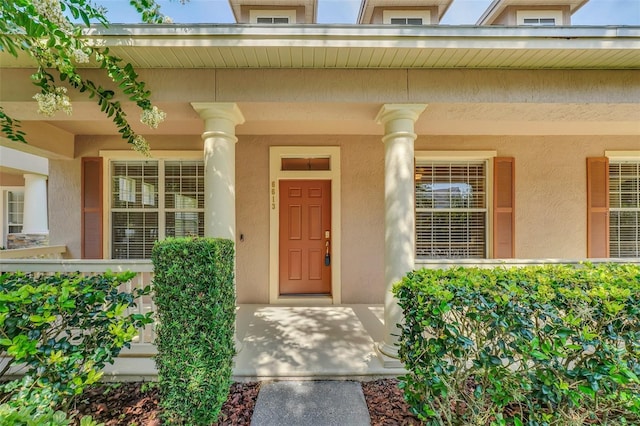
(220,121)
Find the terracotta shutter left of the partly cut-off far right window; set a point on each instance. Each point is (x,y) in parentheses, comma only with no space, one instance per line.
(598,207)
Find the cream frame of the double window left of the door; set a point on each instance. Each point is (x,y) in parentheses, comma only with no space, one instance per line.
(130,156)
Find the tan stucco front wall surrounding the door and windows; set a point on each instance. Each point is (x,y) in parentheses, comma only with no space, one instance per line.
(550,199)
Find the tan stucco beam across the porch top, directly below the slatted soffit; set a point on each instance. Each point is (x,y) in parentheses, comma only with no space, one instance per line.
(375,85)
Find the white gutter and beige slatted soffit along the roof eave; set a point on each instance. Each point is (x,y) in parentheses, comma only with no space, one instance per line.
(366,46)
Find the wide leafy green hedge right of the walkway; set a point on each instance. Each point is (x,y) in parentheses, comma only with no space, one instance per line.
(540,345)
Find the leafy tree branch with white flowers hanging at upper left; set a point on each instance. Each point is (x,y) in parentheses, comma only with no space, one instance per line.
(43,30)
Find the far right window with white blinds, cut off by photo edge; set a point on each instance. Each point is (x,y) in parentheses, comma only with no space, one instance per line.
(624,209)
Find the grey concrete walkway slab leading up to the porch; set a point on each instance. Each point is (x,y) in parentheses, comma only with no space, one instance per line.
(309,403)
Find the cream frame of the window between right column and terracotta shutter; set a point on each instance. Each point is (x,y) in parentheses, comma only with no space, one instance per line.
(463,156)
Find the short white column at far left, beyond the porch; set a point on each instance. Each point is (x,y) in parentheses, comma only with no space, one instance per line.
(35,220)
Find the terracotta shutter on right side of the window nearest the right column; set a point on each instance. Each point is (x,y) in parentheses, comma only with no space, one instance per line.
(503,207)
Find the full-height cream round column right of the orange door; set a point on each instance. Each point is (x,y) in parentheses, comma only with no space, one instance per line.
(399,233)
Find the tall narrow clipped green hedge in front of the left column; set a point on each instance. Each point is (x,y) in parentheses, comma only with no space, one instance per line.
(195,300)
